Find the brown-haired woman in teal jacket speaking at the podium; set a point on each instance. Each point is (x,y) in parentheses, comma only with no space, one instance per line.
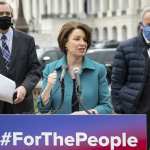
(74,39)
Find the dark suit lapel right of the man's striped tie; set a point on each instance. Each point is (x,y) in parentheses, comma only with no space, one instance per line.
(15,48)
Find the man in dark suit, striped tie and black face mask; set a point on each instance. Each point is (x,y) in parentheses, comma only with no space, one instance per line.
(18,61)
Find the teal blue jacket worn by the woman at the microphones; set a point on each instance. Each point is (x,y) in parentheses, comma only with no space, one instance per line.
(94,87)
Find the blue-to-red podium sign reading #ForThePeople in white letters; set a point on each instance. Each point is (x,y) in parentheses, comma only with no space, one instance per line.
(70,132)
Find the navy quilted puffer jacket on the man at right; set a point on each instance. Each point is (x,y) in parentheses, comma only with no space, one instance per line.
(128,75)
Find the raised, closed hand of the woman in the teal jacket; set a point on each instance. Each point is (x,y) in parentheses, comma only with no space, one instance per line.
(52,78)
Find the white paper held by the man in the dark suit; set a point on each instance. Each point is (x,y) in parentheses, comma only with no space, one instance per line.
(7,89)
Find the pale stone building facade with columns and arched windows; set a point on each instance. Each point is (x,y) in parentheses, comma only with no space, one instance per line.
(109,19)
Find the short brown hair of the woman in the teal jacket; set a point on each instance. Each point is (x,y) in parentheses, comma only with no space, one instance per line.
(67,29)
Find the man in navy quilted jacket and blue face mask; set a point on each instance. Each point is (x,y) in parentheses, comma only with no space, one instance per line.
(131,73)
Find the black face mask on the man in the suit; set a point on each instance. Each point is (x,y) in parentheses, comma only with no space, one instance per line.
(5,22)
